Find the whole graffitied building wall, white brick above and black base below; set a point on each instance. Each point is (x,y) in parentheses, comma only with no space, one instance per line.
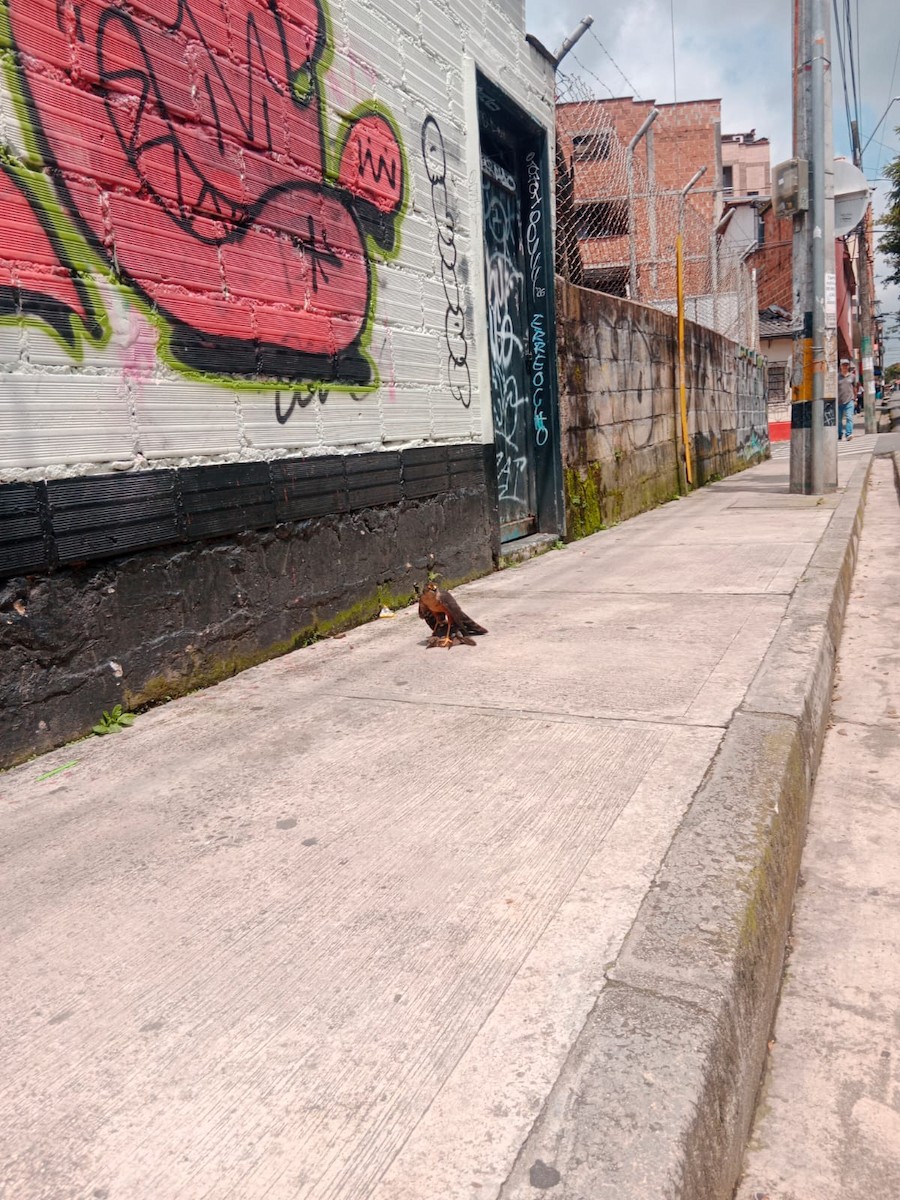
(244,382)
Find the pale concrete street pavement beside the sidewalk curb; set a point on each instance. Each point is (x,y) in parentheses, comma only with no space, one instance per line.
(829,1124)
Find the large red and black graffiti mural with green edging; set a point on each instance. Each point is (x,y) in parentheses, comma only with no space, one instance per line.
(188,146)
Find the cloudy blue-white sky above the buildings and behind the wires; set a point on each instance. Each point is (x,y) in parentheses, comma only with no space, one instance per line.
(741,56)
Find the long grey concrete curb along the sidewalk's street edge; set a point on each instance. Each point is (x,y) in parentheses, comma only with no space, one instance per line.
(658,1095)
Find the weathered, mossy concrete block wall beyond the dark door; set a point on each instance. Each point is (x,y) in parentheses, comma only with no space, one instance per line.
(620,427)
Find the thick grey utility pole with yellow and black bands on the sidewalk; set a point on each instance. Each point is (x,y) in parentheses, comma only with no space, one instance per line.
(814,433)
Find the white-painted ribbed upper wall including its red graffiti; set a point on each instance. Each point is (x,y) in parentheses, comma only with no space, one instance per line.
(233,241)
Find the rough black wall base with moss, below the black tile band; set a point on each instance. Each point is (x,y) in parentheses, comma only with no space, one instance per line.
(140,628)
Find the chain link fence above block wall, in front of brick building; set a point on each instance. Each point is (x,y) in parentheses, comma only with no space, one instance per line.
(617,229)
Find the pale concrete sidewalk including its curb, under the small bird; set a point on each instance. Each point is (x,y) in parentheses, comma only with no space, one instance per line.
(381,922)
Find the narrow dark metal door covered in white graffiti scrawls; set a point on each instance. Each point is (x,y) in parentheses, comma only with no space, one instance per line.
(508,340)
